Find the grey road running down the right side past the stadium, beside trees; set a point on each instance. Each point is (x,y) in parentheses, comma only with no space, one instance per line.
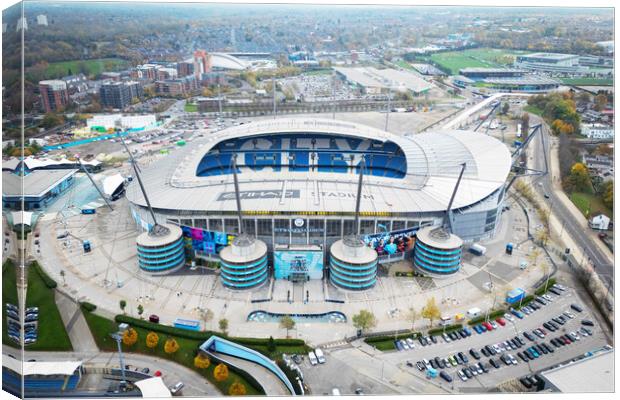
(604,267)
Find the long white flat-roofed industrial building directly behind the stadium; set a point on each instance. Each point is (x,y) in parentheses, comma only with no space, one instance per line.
(376,81)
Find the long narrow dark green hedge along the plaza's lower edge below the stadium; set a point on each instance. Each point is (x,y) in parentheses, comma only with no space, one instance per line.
(202,335)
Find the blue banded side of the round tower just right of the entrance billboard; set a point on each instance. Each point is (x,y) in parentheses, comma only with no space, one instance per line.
(352,276)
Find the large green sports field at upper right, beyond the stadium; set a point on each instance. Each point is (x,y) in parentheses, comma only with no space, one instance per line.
(471,58)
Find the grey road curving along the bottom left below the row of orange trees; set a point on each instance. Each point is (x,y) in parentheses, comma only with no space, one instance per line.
(195,384)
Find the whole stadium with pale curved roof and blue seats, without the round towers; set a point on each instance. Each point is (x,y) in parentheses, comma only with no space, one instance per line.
(298,180)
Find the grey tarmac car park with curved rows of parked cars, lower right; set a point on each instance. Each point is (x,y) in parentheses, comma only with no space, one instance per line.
(487,382)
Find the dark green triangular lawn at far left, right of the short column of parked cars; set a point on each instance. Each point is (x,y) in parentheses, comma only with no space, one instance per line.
(52,335)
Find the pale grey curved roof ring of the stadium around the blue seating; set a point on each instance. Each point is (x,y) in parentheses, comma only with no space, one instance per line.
(433,166)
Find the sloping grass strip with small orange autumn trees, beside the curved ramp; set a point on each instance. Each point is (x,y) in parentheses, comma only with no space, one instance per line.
(102,327)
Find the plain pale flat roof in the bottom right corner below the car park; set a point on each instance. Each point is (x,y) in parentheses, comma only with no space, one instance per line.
(591,374)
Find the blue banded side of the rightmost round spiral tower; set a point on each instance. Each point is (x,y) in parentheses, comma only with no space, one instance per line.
(436,261)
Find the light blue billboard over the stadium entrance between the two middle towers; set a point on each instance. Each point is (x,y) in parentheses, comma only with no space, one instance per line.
(298,262)
